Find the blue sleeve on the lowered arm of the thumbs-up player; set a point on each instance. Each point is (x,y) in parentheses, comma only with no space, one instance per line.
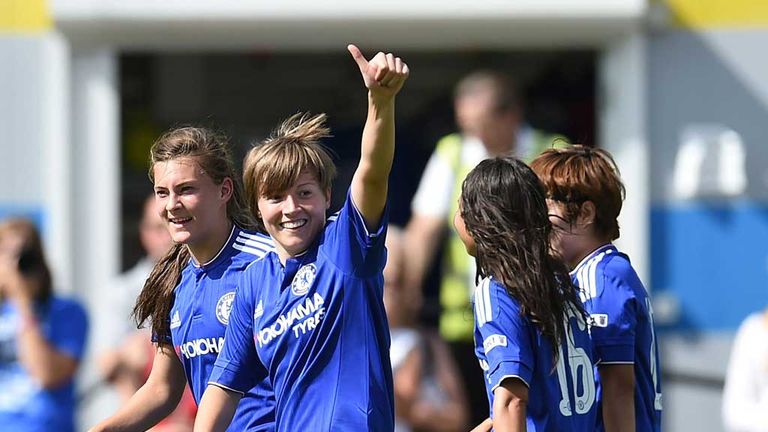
(238,367)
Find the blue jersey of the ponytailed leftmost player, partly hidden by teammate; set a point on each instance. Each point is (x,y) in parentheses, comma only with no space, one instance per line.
(199,318)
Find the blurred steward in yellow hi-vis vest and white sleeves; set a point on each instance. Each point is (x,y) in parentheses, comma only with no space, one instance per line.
(491,120)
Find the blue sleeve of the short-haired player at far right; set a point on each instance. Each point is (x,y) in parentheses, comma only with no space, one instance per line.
(613,315)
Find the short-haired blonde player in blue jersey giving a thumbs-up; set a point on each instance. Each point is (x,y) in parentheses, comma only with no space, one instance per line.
(318,328)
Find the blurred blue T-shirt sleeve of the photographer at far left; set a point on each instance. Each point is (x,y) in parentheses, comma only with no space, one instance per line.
(69,327)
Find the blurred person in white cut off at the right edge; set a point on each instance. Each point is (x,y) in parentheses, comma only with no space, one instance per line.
(745,398)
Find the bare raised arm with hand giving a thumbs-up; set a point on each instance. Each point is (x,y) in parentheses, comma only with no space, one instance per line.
(383,76)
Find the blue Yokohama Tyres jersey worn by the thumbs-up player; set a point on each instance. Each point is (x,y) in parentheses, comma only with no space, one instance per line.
(319,331)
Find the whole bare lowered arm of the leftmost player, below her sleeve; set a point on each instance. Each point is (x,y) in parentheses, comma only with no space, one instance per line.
(155,400)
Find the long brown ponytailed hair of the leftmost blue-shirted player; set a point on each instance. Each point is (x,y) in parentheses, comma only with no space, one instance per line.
(211,152)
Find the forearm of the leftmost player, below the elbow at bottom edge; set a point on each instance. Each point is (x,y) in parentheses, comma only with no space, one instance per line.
(147,407)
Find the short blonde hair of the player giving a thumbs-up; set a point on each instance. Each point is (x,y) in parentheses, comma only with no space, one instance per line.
(294,147)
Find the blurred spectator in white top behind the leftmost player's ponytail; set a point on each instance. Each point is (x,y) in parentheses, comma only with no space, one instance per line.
(127,365)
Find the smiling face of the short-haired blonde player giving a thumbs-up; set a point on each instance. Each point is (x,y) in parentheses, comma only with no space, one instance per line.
(295,217)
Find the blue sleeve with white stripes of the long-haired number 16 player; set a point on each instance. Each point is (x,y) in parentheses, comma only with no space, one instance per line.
(505,335)
